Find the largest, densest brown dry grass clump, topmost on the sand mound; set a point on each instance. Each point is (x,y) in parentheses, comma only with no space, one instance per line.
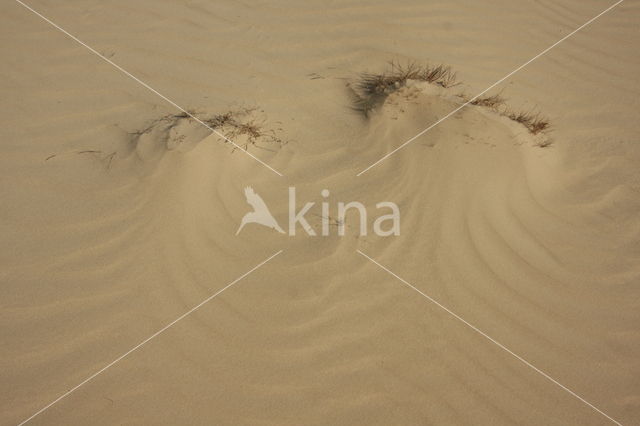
(372,89)
